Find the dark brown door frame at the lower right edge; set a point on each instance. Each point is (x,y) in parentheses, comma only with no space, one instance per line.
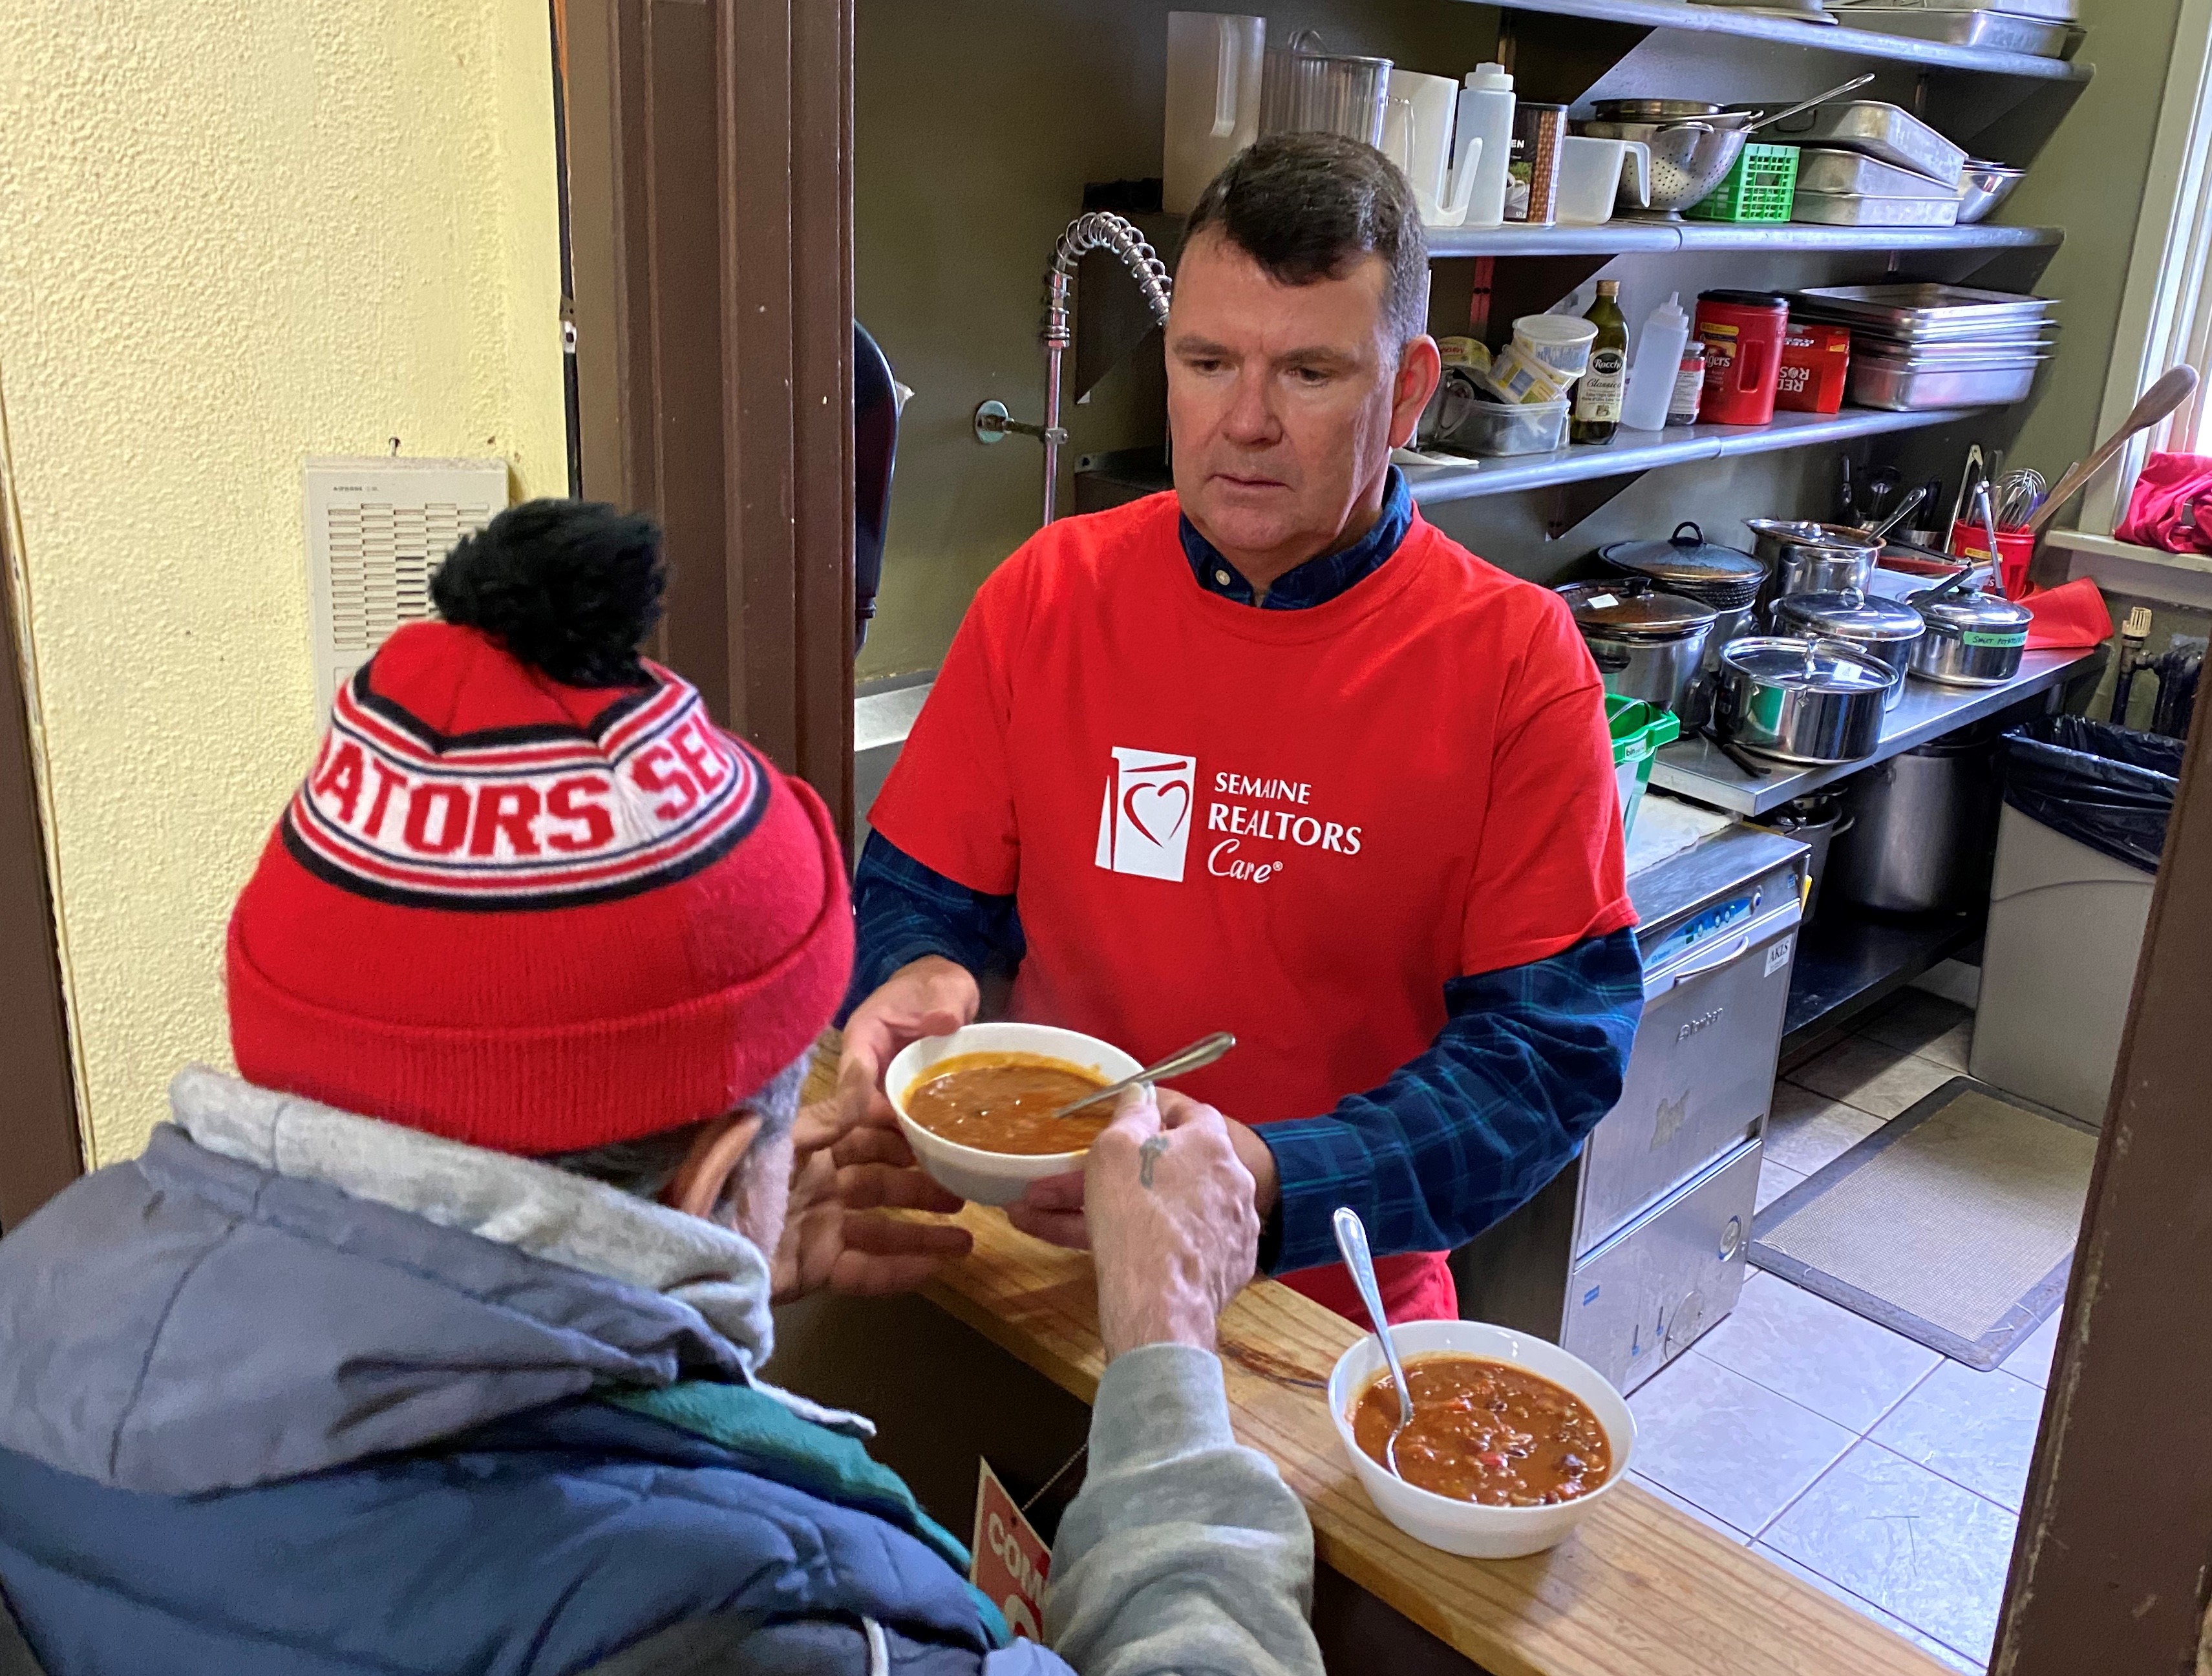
(2114,1555)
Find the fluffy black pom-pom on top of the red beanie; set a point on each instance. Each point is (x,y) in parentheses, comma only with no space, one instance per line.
(570,587)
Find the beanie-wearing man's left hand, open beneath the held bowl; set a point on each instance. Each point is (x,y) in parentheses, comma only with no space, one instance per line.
(831,1233)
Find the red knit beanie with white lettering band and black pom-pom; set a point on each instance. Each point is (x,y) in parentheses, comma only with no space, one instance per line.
(530,897)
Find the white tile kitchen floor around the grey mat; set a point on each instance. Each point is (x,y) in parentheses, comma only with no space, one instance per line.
(1839,1449)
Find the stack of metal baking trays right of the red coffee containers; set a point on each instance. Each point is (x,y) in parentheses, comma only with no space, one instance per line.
(1937,346)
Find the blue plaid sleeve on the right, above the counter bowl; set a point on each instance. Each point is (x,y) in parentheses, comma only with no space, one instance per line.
(1459,1138)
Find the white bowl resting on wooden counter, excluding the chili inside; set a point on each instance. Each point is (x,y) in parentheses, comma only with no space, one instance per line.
(1470,1527)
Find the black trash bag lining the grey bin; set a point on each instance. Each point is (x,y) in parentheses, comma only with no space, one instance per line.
(2109,788)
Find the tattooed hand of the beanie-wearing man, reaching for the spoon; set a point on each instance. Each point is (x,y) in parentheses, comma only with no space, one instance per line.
(1173,1230)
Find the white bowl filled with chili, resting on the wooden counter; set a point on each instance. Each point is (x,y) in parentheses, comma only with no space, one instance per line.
(1545,1434)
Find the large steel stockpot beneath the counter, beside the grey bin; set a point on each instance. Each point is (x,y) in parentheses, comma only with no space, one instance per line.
(1923,828)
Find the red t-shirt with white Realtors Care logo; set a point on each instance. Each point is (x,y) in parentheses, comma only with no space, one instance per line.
(1295,826)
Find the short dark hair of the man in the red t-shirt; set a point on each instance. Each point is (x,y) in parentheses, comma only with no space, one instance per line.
(1308,207)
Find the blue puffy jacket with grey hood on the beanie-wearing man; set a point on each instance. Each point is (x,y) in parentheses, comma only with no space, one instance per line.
(253,1425)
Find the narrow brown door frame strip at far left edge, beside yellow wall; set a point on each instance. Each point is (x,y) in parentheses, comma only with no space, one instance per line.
(41,1142)
